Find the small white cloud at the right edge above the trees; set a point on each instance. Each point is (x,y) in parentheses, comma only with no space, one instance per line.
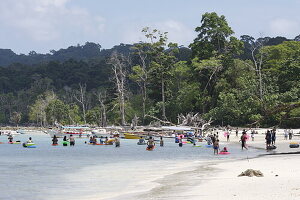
(285,27)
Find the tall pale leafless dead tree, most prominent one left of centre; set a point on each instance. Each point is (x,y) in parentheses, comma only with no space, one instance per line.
(119,63)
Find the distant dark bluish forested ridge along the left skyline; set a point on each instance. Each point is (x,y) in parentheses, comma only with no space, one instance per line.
(84,52)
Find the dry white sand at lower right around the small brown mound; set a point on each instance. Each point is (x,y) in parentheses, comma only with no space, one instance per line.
(281,178)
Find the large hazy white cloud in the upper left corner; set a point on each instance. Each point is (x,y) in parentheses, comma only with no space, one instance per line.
(47,20)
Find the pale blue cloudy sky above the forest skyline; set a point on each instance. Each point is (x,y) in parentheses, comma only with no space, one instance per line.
(42,25)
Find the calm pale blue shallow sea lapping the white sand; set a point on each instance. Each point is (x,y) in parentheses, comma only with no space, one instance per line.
(95,172)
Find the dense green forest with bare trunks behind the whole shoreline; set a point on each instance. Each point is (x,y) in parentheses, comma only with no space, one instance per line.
(232,81)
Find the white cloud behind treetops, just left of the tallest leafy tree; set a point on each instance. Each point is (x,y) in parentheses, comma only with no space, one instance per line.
(177,32)
